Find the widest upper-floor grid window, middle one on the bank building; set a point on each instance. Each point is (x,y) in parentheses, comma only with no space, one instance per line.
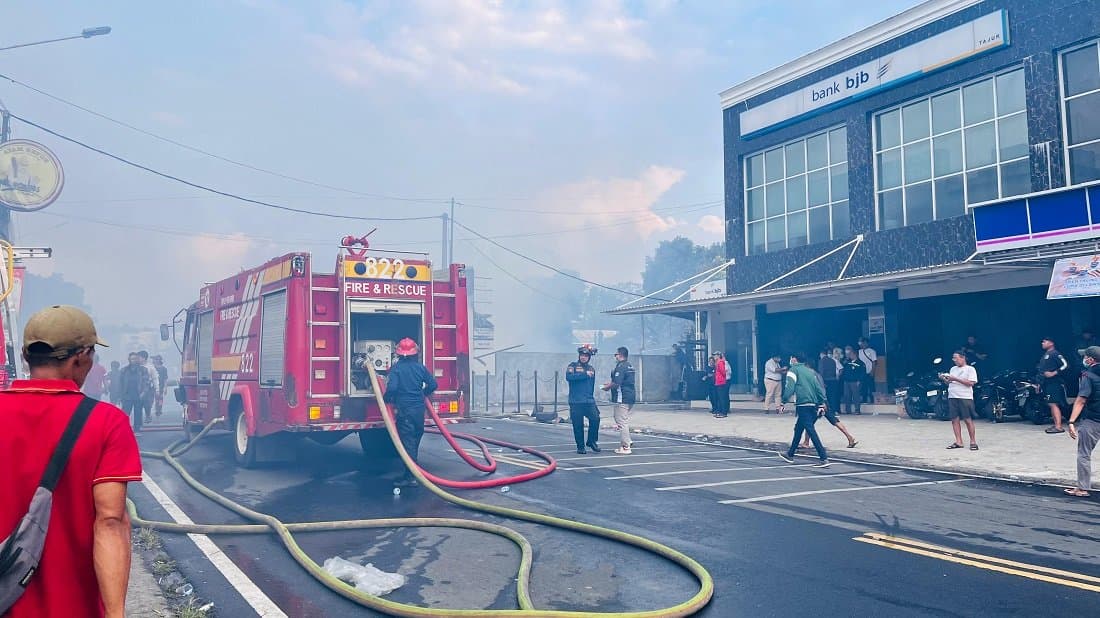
(937,156)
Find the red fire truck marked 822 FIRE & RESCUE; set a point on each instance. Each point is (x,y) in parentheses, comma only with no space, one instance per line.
(282,348)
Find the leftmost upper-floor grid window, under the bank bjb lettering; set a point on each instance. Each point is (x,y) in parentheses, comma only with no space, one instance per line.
(797,194)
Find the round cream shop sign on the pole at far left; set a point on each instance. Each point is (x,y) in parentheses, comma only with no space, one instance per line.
(31,176)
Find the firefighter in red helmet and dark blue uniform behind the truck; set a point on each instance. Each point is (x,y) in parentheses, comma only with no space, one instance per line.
(409,383)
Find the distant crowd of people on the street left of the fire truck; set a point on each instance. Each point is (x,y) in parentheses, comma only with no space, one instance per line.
(138,389)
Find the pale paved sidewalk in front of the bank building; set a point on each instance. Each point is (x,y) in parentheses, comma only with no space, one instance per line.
(1018,451)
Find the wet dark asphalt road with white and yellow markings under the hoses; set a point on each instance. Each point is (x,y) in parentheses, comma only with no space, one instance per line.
(779,539)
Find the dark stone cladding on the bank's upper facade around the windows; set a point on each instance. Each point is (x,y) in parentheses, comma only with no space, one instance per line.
(1039,29)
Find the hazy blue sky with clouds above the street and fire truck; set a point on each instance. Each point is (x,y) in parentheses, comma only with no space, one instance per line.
(556,119)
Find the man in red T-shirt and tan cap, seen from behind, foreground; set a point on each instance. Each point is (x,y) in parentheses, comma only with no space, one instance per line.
(86,561)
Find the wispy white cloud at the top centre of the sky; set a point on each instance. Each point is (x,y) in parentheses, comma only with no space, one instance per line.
(501,48)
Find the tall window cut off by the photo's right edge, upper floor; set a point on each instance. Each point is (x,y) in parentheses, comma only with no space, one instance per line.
(1081,96)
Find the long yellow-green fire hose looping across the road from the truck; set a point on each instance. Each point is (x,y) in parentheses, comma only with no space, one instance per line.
(268,524)
